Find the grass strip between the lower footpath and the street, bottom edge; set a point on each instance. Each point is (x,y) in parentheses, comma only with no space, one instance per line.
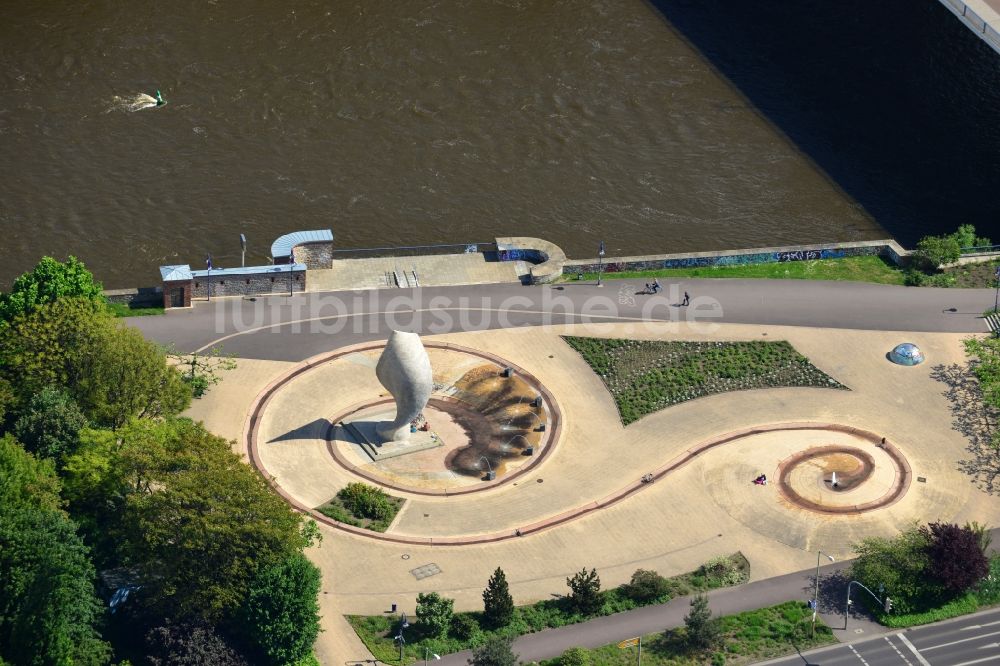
(747,638)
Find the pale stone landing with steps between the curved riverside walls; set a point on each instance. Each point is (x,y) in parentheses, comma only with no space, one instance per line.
(425,271)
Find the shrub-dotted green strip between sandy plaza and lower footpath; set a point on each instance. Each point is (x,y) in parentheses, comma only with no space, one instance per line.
(377,631)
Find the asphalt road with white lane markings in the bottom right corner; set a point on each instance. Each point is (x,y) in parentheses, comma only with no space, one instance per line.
(973,639)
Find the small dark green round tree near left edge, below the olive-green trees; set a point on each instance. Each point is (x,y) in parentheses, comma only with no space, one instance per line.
(51,425)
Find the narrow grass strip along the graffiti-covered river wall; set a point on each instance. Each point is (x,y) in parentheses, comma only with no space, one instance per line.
(855,269)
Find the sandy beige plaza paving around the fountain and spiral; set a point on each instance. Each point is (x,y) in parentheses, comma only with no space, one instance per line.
(704,509)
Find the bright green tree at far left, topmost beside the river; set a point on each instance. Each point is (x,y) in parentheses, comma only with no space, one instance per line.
(49,281)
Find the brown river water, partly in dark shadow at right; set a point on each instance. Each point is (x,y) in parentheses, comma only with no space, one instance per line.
(657,127)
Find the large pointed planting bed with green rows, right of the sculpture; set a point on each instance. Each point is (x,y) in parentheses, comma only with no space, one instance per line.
(646,376)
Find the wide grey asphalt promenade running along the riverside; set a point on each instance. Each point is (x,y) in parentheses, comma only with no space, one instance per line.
(297,327)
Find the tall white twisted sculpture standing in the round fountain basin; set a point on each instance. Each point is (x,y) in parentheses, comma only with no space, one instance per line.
(405,370)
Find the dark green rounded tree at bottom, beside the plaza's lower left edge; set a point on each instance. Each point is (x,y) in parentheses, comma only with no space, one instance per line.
(281,613)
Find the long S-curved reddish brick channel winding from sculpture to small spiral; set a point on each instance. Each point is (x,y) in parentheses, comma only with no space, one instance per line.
(252,425)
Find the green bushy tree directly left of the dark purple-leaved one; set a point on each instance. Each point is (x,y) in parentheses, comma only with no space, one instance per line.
(899,565)
